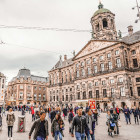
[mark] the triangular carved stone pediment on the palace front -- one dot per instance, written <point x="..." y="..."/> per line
<point x="93" y="46"/>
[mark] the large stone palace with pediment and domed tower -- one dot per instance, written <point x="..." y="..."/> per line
<point x="106" y="69"/>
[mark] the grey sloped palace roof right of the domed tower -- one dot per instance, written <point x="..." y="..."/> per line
<point x="130" y="39"/>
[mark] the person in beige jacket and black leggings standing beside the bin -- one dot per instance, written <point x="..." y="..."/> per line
<point x="10" y="119"/>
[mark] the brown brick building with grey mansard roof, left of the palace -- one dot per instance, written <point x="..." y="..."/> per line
<point x="27" y="89"/>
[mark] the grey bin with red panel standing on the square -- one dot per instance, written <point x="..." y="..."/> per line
<point x="21" y="124"/>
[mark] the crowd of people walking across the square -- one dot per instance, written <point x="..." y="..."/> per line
<point x="82" y="121"/>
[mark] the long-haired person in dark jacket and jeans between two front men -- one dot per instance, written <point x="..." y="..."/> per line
<point x="57" y="127"/>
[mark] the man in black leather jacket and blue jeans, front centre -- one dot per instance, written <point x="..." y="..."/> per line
<point x="79" y="123"/>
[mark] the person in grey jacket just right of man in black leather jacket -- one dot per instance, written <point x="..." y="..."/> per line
<point x="91" y="124"/>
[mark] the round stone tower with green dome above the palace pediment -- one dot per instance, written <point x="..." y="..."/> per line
<point x="103" y="24"/>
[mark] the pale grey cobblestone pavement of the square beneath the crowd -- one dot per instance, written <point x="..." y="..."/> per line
<point x="127" y="132"/>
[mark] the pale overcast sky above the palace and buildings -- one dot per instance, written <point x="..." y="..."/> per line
<point x="49" y="45"/>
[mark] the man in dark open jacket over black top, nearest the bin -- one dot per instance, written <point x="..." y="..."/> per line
<point x="41" y="128"/>
